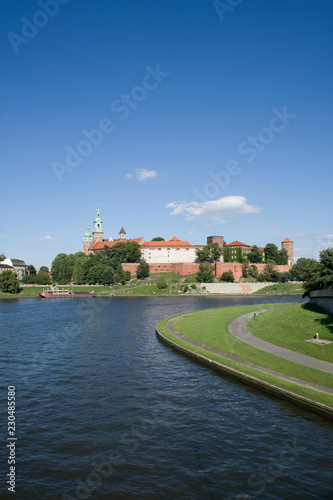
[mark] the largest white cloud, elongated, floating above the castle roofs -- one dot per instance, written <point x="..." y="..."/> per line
<point x="217" y="210"/>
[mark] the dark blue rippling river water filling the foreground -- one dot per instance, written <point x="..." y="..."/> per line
<point x="104" y="410"/>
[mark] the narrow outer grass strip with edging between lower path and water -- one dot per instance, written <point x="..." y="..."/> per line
<point x="306" y="397"/>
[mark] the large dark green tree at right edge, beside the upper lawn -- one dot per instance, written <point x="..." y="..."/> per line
<point x="319" y="275"/>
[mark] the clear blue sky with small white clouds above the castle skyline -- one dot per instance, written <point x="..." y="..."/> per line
<point x="179" y="118"/>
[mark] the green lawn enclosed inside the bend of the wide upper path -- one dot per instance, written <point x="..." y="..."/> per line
<point x="290" y="327"/>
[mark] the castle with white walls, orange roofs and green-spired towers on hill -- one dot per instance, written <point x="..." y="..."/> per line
<point x="173" y="251"/>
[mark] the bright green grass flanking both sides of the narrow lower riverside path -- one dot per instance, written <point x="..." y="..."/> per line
<point x="210" y="327"/>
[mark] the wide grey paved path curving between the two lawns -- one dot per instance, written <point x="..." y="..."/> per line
<point x="238" y="328"/>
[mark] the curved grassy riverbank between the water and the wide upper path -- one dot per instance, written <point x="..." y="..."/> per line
<point x="210" y="329"/>
